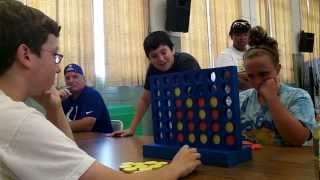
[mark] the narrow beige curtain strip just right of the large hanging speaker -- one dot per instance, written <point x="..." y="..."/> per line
<point x="195" y="41"/>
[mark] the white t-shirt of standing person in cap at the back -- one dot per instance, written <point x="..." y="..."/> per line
<point x="230" y="57"/>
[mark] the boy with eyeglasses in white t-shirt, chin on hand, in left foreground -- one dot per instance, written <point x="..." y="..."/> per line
<point x="34" y="146"/>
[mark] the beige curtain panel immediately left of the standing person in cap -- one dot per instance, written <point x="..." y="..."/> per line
<point x="223" y="13"/>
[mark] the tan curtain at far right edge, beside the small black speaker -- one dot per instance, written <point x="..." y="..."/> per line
<point x="310" y="19"/>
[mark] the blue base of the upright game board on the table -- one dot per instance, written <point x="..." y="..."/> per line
<point x="224" y="158"/>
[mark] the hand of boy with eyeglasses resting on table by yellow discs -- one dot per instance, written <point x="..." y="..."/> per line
<point x="185" y="161"/>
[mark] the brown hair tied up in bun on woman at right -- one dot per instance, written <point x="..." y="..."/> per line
<point x="262" y="44"/>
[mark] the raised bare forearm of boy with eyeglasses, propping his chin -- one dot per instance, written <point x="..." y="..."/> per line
<point x="58" y="118"/>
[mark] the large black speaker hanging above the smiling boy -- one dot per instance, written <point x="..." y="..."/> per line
<point x="178" y="15"/>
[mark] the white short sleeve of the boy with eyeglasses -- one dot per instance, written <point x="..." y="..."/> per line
<point x="39" y="150"/>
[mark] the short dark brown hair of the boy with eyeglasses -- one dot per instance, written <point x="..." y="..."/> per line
<point x="20" y="24"/>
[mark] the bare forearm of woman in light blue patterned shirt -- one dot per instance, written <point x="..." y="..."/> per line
<point x="291" y="129"/>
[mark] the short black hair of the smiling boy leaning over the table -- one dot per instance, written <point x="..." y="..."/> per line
<point x="156" y="39"/>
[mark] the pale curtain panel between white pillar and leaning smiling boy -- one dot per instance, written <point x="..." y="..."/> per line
<point x="126" y="26"/>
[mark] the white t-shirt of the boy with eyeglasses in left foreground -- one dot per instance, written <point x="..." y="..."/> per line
<point x="32" y="148"/>
